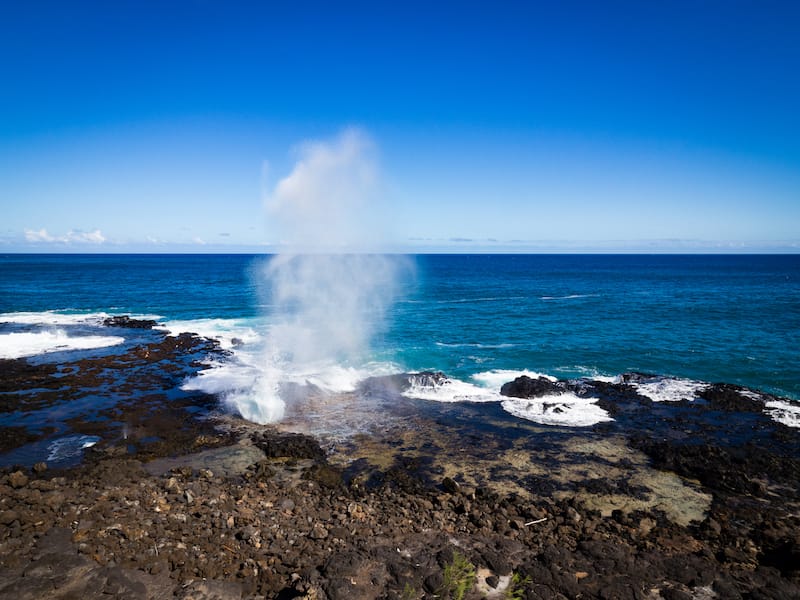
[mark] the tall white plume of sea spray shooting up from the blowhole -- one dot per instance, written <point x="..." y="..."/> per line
<point x="330" y="288"/>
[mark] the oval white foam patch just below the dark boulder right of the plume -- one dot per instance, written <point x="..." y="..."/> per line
<point x="565" y="409"/>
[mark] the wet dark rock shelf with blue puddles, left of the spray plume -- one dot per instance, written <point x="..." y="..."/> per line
<point x="132" y="396"/>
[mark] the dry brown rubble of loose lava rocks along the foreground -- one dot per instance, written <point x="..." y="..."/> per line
<point x="289" y="527"/>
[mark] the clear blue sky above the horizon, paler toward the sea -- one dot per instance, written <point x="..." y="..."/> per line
<point x="568" y="126"/>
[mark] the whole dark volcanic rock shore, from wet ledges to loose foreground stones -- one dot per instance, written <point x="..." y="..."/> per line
<point x="673" y="501"/>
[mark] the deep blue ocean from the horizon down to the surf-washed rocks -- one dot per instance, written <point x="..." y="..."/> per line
<point x="480" y="319"/>
